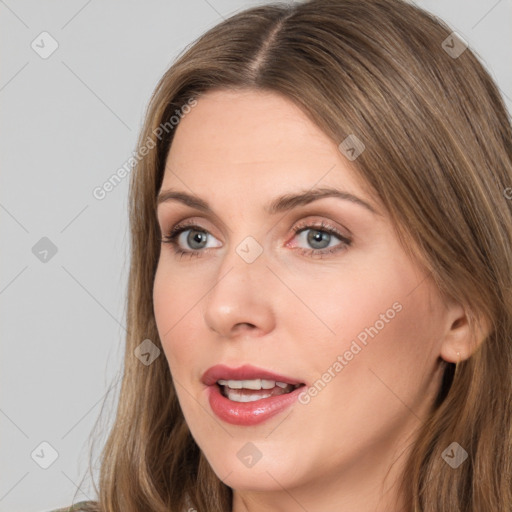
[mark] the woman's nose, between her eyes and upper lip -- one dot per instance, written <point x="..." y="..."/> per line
<point x="240" y="299"/>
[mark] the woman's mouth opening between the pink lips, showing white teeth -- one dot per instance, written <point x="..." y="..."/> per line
<point x="254" y="389"/>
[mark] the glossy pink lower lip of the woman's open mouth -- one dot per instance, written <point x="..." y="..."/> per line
<point x="249" y="413"/>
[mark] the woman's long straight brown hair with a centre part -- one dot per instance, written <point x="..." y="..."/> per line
<point x="438" y="154"/>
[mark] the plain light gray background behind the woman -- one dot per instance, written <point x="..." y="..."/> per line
<point x="69" y="121"/>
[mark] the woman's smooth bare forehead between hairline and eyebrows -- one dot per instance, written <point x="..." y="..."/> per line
<point x="254" y="136"/>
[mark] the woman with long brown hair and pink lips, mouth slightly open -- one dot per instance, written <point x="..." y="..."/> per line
<point x="319" y="301"/>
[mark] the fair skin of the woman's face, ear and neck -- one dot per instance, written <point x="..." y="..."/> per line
<point x="294" y="313"/>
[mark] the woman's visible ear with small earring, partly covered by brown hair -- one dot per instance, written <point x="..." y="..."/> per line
<point x="464" y="333"/>
